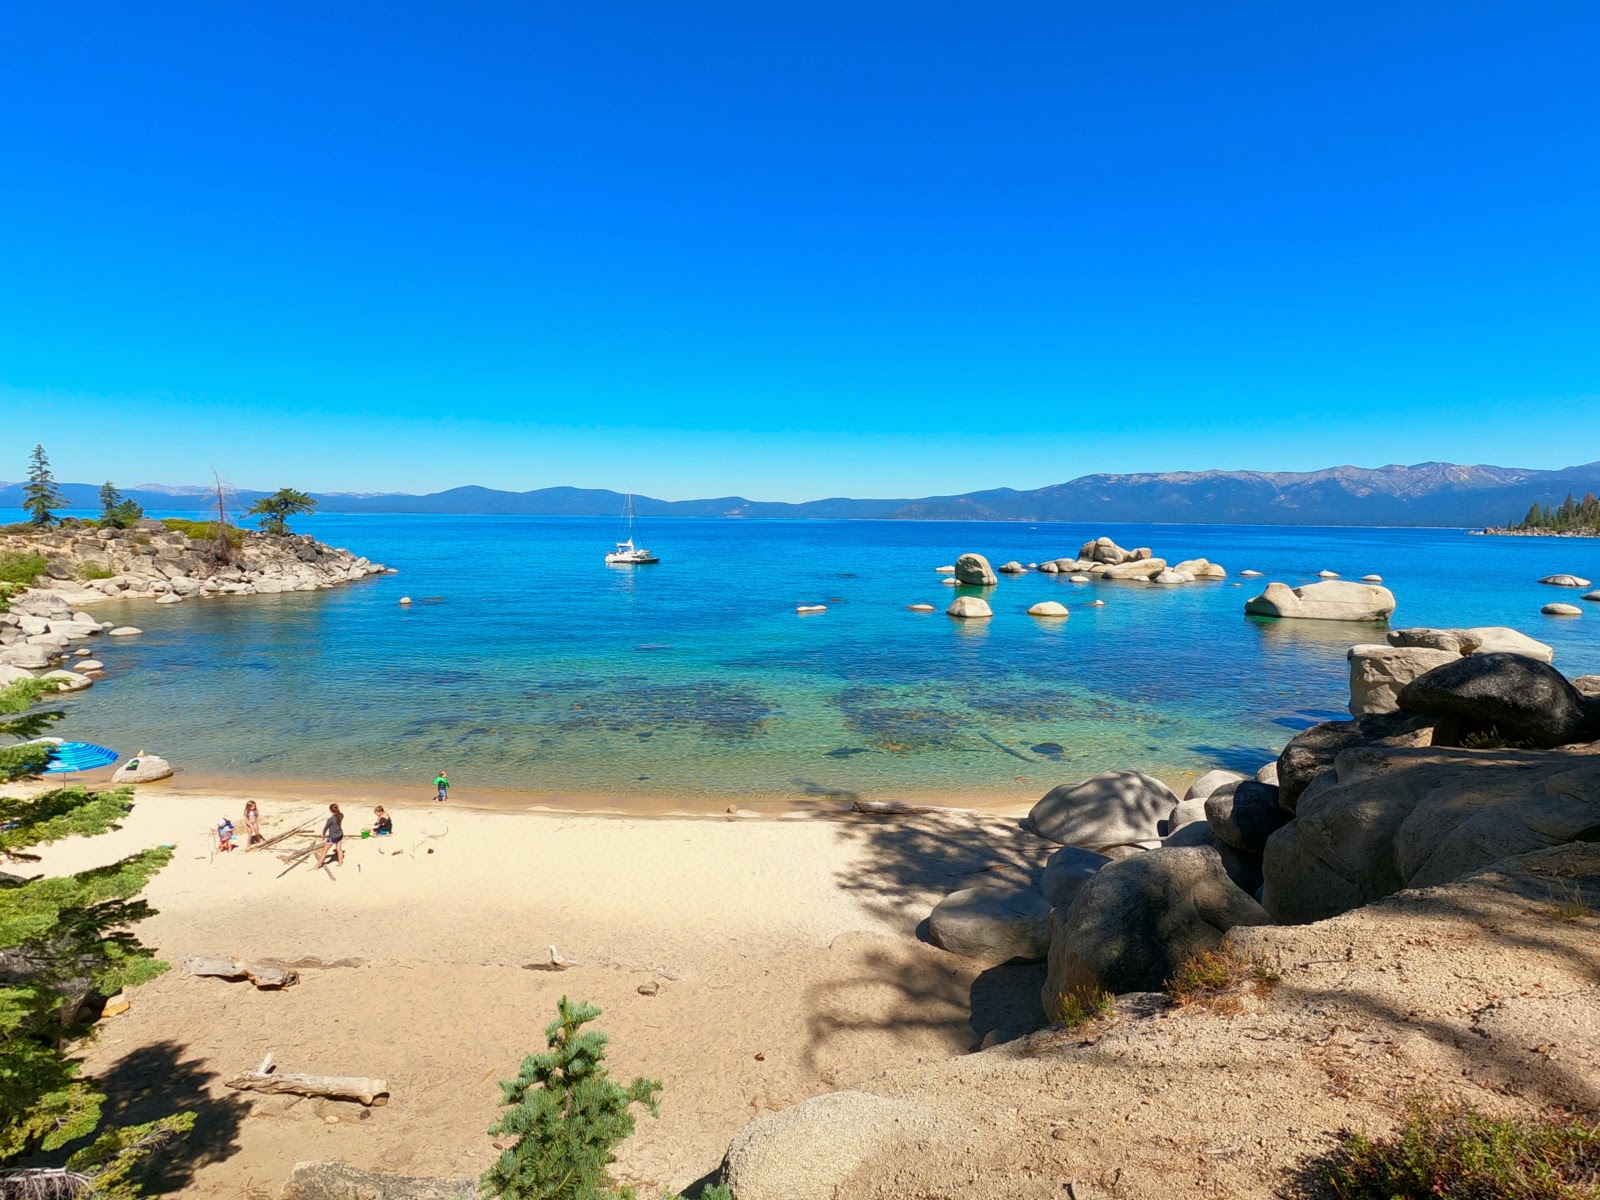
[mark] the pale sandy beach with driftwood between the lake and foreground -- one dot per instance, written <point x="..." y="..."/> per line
<point x="785" y="953"/>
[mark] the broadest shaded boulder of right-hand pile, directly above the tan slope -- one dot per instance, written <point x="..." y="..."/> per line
<point x="1415" y="818"/>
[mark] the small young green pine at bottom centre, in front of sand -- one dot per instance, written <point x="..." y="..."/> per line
<point x="567" y="1116"/>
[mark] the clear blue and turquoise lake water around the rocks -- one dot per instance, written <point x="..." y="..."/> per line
<point x="529" y="665"/>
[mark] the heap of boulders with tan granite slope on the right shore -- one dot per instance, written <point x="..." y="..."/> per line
<point x="1399" y="873"/>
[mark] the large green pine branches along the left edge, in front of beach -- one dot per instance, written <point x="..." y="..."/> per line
<point x="62" y="937"/>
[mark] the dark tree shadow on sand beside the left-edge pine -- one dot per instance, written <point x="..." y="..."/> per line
<point x="158" y="1081"/>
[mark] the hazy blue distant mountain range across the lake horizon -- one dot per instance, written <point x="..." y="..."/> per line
<point x="1428" y="494"/>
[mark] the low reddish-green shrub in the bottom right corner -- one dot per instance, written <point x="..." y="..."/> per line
<point x="1454" y="1153"/>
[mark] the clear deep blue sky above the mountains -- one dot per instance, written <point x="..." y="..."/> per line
<point x="790" y="252"/>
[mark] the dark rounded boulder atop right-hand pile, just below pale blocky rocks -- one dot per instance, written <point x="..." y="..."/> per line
<point x="1521" y="698"/>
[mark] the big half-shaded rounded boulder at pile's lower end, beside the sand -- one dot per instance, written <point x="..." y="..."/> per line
<point x="1137" y="922"/>
